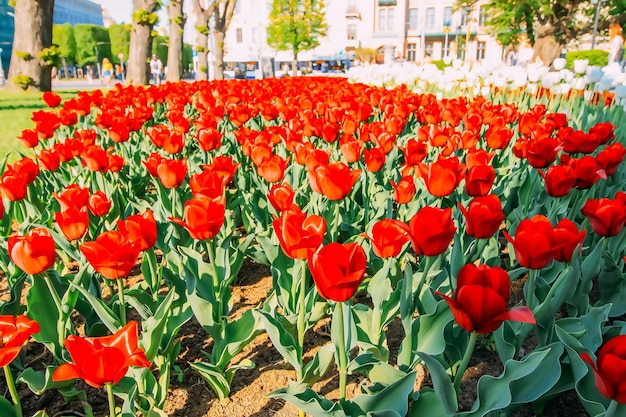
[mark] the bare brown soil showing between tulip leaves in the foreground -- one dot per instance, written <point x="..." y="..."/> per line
<point x="190" y="396"/>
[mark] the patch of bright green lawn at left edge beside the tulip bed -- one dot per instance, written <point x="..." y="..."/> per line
<point x="16" y="109"/>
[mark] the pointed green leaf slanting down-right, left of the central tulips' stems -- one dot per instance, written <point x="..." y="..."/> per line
<point x="282" y="337"/>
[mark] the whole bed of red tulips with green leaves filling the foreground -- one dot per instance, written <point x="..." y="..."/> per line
<point x="348" y="193"/>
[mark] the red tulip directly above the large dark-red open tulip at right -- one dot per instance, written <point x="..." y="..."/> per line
<point x="483" y="216"/>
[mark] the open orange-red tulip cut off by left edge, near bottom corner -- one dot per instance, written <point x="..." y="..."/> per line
<point x="14" y="332"/>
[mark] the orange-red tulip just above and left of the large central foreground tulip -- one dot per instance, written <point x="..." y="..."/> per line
<point x="298" y="233"/>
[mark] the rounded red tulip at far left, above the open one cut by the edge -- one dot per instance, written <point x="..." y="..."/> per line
<point x="33" y="253"/>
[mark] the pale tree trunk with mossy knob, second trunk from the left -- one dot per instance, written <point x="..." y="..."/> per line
<point x="141" y="42"/>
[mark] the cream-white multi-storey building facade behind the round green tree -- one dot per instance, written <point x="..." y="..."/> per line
<point x="406" y="30"/>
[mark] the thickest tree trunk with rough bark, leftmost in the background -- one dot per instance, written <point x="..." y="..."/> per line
<point x="33" y="33"/>
